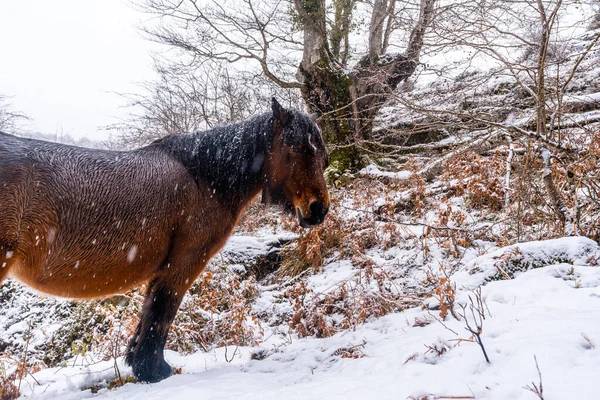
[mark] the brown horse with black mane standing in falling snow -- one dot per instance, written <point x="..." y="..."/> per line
<point x="84" y="223"/>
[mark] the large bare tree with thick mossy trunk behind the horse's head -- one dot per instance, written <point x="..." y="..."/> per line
<point x="310" y="45"/>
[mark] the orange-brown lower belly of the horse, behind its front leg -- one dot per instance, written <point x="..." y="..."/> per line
<point x="76" y="269"/>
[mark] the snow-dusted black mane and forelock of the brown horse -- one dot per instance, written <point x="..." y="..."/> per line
<point x="231" y="158"/>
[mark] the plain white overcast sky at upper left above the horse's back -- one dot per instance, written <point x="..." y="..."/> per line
<point x="62" y="61"/>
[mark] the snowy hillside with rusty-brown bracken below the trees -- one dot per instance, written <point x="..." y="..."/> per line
<point x="445" y="245"/>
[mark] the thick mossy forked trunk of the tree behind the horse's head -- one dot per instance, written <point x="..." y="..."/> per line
<point x="347" y="102"/>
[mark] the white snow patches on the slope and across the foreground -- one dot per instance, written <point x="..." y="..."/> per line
<point x="541" y="299"/>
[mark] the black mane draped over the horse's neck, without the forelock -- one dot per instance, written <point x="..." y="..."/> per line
<point x="229" y="159"/>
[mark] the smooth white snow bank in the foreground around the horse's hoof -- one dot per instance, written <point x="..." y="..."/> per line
<point x="551" y="312"/>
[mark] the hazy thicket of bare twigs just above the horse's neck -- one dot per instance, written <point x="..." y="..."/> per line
<point x="184" y="99"/>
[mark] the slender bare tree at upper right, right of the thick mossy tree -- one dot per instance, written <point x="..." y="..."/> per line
<point x="527" y="44"/>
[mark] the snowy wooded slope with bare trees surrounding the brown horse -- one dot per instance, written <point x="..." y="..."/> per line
<point x="459" y="258"/>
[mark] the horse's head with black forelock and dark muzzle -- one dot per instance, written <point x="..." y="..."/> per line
<point x="294" y="167"/>
